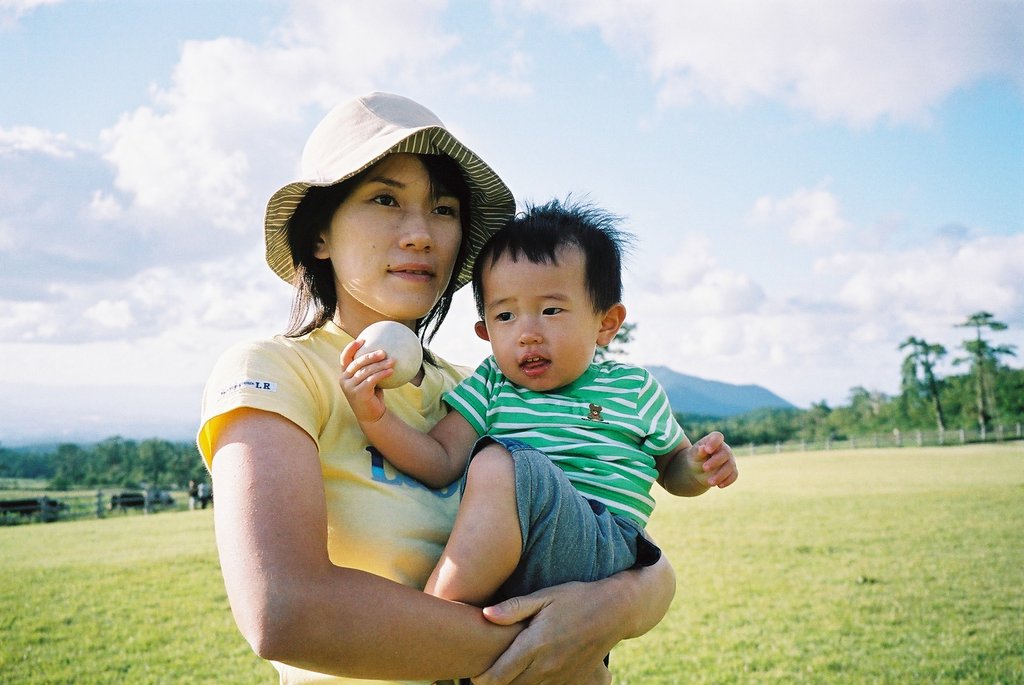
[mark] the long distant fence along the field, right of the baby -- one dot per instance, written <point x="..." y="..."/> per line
<point x="894" y="439"/>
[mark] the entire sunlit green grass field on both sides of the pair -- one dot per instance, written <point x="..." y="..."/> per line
<point x="867" y="567"/>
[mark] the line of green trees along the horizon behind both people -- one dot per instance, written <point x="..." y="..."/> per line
<point x="990" y="394"/>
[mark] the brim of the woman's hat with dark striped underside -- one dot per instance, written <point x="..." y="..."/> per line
<point x="492" y="204"/>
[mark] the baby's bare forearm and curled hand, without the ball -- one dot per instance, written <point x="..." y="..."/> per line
<point x="691" y="469"/>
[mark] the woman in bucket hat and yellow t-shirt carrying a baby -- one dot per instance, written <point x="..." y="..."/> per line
<point x="324" y="546"/>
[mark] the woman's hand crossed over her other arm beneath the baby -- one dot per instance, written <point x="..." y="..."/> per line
<point x="568" y="636"/>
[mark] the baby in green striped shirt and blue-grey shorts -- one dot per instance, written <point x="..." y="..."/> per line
<point x="567" y="450"/>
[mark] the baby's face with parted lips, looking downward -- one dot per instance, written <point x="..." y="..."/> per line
<point x="540" y="320"/>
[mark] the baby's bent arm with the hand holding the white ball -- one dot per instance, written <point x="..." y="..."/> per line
<point x="436" y="459"/>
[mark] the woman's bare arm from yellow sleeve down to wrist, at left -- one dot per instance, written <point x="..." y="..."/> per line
<point x="292" y="605"/>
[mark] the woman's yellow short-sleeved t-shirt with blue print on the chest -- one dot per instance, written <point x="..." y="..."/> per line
<point x="379" y="520"/>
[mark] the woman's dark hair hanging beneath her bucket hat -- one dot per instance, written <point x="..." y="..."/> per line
<point x="316" y="301"/>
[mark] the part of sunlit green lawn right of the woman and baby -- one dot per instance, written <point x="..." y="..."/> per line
<point x="862" y="567"/>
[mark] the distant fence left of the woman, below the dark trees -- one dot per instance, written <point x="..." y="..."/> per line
<point x="49" y="506"/>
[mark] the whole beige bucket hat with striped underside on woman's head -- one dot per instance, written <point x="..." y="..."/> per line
<point x="357" y="135"/>
